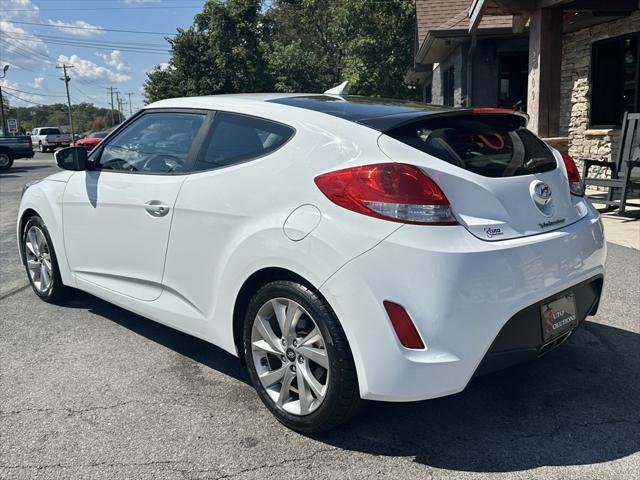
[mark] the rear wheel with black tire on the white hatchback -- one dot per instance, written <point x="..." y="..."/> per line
<point x="340" y="398"/>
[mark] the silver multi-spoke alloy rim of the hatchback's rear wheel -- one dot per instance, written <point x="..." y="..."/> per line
<point x="290" y="356"/>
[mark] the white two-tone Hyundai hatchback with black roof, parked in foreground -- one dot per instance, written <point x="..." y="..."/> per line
<point x="346" y="248"/>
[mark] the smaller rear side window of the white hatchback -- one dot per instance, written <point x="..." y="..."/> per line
<point x="236" y="138"/>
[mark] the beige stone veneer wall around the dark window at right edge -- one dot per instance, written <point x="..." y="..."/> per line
<point x="584" y="141"/>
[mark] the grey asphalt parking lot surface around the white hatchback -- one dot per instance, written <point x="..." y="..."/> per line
<point x="88" y="390"/>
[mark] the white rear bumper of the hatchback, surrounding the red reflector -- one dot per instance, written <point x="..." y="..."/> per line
<point x="460" y="292"/>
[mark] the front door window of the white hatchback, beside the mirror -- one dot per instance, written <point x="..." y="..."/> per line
<point x="154" y="143"/>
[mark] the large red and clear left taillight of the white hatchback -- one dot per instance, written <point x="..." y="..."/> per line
<point x="391" y="191"/>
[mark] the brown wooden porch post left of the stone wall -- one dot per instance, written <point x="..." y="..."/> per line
<point x="545" y="62"/>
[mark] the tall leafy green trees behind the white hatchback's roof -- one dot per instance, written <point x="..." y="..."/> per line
<point x="290" y="45"/>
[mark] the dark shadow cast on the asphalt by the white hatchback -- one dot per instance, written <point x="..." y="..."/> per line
<point x="578" y="405"/>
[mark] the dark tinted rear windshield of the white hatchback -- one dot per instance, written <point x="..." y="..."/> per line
<point x="489" y="145"/>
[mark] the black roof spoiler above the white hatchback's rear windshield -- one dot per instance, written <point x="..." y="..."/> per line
<point x="390" y="122"/>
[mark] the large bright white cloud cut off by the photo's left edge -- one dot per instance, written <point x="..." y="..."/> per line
<point x="21" y="48"/>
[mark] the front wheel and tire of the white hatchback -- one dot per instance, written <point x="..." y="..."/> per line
<point x="38" y="253"/>
